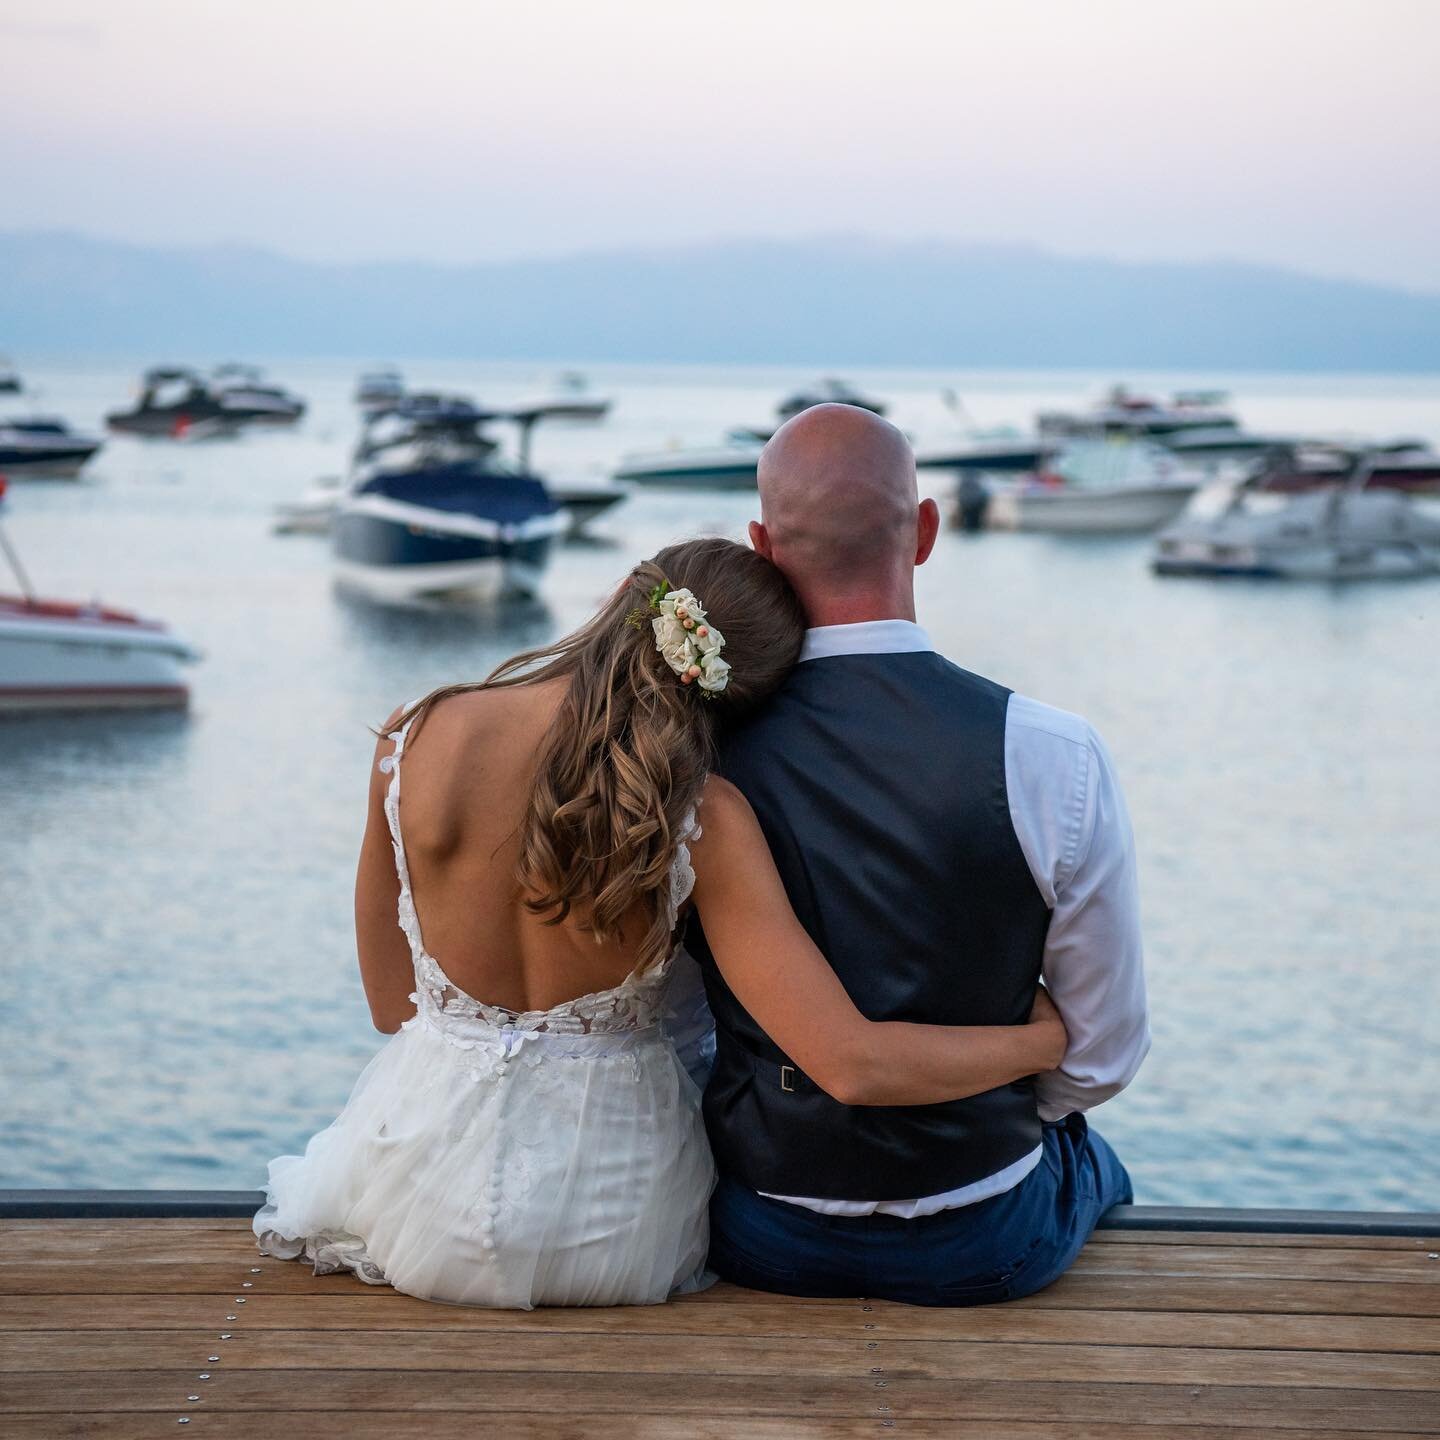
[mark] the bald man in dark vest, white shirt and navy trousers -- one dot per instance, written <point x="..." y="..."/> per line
<point x="945" y="843"/>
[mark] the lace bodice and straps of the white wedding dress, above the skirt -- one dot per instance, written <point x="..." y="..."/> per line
<point x="637" y="1003"/>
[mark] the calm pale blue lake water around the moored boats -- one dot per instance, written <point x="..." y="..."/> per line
<point x="181" y="999"/>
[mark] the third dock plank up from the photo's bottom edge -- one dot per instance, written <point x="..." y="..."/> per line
<point x="689" y="1356"/>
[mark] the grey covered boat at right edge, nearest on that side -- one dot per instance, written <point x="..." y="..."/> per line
<point x="1350" y="532"/>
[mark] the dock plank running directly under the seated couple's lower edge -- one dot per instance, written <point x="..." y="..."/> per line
<point x="741" y="1317"/>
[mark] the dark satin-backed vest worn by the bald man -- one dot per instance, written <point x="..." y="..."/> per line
<point x="881" y="786"/>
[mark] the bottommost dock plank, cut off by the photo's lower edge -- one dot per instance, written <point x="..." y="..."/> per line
<point x="526" y="1426"/>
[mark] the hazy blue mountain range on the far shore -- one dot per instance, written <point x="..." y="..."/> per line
<point x="826" y="302"/>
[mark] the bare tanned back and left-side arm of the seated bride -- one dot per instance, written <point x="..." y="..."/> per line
<point x="469" y="771"/>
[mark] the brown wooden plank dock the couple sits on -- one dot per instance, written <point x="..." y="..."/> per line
<point x="148" y="1327"/>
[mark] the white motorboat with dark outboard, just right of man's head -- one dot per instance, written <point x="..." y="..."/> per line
<point x="1098" y="487"/>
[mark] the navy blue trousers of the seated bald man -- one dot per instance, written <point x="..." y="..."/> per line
<point x="999" y="1249"/>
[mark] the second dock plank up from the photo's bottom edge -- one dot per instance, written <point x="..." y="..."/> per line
<point x="741" y="1399"/>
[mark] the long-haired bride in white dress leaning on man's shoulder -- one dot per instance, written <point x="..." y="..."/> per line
<point x="529" y="1135"/>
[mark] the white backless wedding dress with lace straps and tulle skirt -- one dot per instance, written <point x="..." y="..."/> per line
<point x="510" y="1160"/>
